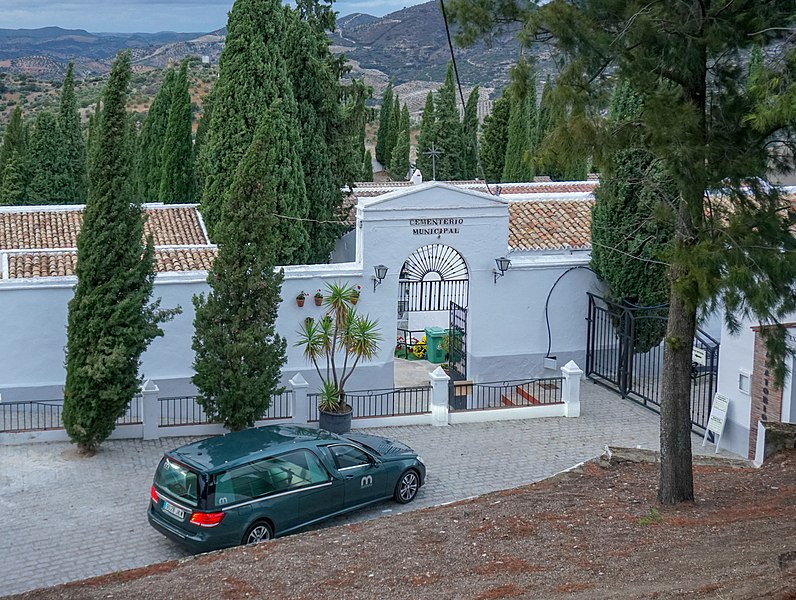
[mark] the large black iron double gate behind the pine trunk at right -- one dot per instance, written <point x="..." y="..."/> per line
<point x="623" y="352"/>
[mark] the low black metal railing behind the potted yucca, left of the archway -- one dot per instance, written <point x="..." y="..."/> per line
<point x="391" y="402"/>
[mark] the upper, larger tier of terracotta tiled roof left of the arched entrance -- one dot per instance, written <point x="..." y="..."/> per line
<point x="51" y="229"/>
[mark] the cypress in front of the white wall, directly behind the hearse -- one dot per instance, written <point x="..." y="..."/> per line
<point x="238" y="352"/>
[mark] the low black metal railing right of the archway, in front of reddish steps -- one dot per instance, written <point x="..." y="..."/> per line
<point x="510" y="394"/>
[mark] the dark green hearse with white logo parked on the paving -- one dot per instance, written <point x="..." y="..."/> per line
<point x="252" y="485"/>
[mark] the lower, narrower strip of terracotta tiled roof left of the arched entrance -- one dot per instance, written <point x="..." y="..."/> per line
<point x="62" y="264"/>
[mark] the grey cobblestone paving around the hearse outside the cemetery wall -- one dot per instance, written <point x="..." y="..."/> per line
<point x="67" y="518"/>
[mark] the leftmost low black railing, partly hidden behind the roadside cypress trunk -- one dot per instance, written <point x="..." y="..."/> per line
<point x="44" y="415"/>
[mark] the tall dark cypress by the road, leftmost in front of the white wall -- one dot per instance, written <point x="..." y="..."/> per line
<point x="110" y="322"/>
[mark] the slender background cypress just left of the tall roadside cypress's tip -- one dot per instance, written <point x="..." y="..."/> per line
<point x="74" y="148"/>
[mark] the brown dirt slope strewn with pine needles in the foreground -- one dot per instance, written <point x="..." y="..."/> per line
<point x="594" y="533"/>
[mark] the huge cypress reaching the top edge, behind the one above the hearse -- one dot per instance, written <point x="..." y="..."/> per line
<point x="251" y="76"/>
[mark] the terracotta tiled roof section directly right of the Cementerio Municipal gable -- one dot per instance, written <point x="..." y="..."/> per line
<point x="550" y="224"/>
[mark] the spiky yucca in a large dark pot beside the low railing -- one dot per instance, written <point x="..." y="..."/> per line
<point x="340" y="340"/>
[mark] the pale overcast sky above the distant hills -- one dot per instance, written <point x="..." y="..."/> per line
<point x="148" y="15"/>
